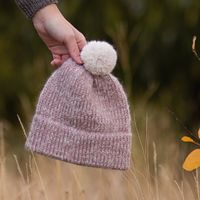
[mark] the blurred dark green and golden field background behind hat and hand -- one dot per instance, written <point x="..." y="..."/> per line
<point x="160" y="75"/>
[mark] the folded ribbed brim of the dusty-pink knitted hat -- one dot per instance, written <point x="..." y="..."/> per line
<point x="65" y="143"/>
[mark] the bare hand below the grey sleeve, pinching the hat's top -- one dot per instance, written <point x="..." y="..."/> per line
<point x="61" y="37"/>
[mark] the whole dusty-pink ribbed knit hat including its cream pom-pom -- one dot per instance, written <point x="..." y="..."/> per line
<point x="82" y="115"/>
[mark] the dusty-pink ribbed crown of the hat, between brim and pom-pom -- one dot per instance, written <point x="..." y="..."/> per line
<point x="84" y="101"/>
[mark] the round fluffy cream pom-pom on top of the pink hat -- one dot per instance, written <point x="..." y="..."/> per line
<point x="99" y="57"/>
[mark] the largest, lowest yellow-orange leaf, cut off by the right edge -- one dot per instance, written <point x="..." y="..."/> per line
<point x="192" y="161"/>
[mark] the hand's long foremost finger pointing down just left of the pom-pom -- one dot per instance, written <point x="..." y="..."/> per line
<point x="72" y="46"/>
